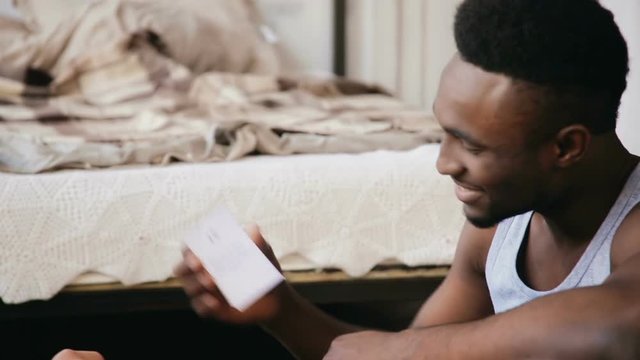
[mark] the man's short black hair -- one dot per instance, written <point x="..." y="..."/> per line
<point x="566" y="46"/>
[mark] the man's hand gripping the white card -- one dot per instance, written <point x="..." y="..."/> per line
<point x="207" y="300"/>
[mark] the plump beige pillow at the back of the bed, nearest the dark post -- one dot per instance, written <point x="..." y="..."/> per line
<point x="208" y="35"/>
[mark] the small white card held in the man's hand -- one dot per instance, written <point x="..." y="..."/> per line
<point x="241" y="271"/>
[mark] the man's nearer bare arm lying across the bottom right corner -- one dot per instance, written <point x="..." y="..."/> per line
<point x="599" y="322"/>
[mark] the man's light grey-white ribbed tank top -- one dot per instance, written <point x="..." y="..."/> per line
<point x="505" y="286"/>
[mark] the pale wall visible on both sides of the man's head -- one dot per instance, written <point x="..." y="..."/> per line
<point x="404" y="44"/>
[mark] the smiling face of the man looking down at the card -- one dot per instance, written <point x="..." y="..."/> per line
<point x="489" y="148"/>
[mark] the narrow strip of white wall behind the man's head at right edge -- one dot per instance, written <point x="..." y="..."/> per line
<point x="627" y="15"/>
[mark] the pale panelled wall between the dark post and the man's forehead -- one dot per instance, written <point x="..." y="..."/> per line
<point x="402" y="45"/>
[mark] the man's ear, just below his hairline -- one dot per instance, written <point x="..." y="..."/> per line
<point x="571" y="144"/>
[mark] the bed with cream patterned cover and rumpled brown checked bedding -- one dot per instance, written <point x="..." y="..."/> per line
<point x="330" y="199"/>
